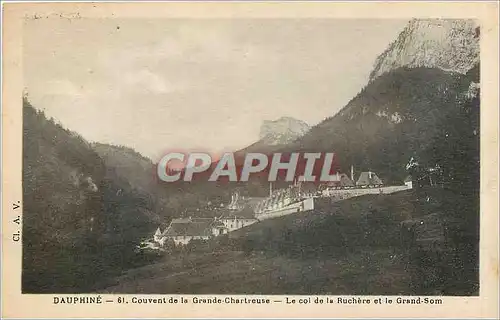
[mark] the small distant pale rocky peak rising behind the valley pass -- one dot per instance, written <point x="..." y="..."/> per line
<point x="283" y="130"/>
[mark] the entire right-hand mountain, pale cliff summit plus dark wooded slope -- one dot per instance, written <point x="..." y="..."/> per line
<point x="421" y="86"/>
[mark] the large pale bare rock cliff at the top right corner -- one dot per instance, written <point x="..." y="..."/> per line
<point x="450" y="45"/>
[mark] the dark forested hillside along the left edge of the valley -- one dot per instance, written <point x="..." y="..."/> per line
<point x="81" y="220"/>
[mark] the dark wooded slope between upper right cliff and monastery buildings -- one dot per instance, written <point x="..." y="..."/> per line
<point x="394" y="117"/>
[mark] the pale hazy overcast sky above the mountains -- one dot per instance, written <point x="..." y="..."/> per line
<point x="159" y="84"/>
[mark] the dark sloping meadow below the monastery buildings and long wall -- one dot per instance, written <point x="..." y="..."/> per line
<point x="328" y="251"/>
